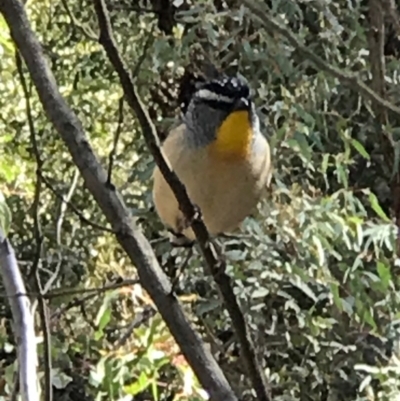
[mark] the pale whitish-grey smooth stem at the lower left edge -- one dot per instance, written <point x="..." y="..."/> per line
<point x="23" y="322"/>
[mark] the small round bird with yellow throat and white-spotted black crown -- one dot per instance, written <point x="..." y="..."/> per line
<point x="219" y="154"/>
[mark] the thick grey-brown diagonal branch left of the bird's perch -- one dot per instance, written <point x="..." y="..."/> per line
<point x="129" y="236"/>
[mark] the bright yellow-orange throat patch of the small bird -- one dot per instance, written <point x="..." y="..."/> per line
<point x="233" y="137"/>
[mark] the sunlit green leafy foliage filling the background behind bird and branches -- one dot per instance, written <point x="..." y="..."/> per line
<point x="314" y="271"/>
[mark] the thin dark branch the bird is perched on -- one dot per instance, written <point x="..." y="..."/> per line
<point x="214" y="263"/>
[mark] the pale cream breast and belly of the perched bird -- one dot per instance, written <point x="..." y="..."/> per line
<point x="225" y="191"/>
